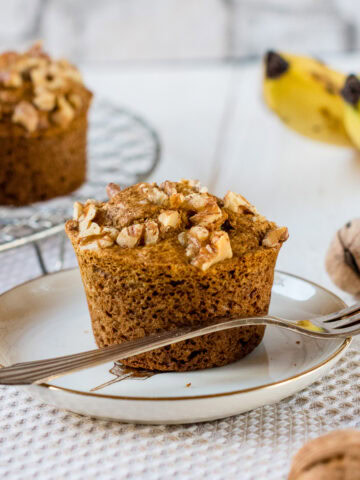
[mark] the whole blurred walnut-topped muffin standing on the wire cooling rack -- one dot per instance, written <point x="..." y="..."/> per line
<point x="43" y="126"/>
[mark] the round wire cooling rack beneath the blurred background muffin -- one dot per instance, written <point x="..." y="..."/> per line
<point x="122" y="148"/>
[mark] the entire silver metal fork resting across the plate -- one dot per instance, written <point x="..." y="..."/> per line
<point x="343" y="323"/>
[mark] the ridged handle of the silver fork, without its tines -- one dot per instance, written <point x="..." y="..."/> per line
<point x="39" y="371"/>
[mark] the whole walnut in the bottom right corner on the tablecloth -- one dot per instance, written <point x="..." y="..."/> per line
<point x="335" y="456"/>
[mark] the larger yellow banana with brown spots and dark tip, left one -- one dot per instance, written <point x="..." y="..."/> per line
<point x="305" y="94"/>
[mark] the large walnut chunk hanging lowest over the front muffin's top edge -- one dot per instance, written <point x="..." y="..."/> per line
<point x="218" y="250"/>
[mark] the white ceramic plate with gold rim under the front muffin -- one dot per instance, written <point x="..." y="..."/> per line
<point x="48" y="317"/>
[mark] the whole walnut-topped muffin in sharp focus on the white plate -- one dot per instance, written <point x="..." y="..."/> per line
<point x="156" y="258"/>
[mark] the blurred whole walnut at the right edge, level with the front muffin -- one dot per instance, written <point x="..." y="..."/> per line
<point x="343" y="258"/>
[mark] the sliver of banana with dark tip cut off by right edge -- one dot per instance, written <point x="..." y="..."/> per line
<point x="351" y="96"/>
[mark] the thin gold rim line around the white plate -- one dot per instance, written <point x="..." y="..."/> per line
<point x="341" y="349"/>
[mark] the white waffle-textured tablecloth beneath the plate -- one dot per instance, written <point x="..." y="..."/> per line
<point x="38" y="441"/>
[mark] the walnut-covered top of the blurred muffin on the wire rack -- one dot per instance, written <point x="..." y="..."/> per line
<point x="38" y="93"/>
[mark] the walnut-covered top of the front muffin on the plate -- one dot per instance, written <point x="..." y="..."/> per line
<point x="174" y="217"/>
